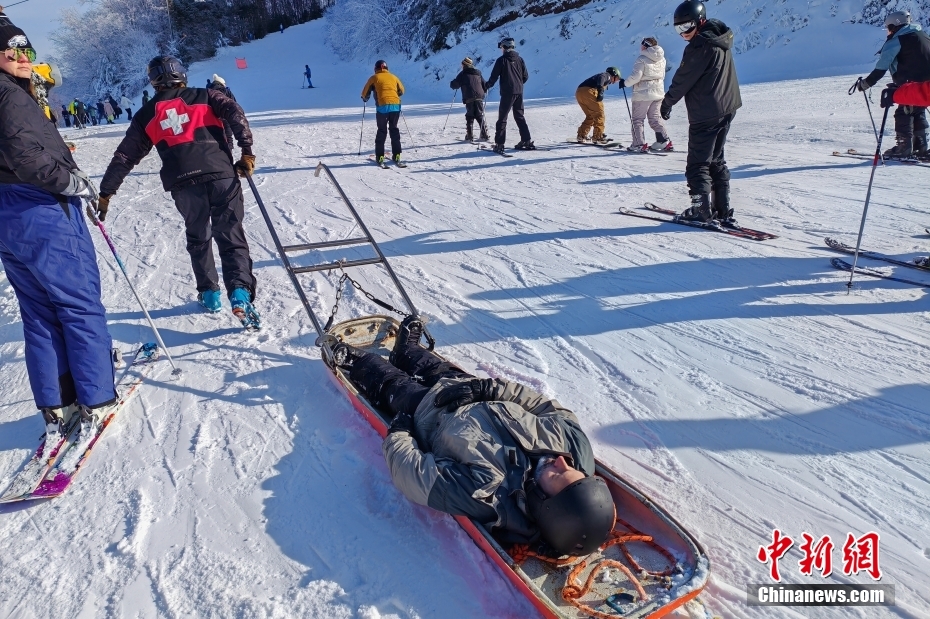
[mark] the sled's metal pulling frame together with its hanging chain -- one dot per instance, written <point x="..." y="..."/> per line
<point x="367" y="239"/>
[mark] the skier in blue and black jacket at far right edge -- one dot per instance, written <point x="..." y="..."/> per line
<point x="906" y="53"/>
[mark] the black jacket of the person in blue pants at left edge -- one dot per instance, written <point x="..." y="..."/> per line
<point x="31" y="149"/>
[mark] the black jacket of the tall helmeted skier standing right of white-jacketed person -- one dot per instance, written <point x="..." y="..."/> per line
<point x="706" y="77"/>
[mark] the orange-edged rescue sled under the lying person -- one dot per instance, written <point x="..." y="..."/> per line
<point x="663" y="565"/>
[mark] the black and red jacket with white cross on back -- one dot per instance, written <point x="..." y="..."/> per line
<point x="185" y="125"/>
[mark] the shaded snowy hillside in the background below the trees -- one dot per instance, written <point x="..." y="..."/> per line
<point x="775" y="40"/>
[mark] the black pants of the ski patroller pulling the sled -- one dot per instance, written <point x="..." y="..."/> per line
<point x="213" y="211"/>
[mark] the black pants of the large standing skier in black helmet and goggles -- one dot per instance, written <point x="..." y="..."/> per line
<point x="706" y="169"/>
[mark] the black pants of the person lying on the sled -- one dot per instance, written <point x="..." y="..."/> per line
<point x="394" y="388"/>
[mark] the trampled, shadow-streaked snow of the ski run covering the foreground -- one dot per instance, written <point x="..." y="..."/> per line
<point x="736" y="382"/>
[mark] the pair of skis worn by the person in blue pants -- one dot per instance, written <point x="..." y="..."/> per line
<point x="60" y="457"/>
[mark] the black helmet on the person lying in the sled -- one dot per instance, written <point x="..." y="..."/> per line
<point x="577" y="520"/>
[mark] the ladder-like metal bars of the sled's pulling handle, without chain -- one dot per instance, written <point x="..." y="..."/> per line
<point x="293" y="271"/>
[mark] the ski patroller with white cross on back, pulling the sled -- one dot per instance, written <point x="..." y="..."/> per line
<point x="185" y="126"/>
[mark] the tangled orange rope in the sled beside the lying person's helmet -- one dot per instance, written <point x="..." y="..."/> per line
<point x="572" y="592"/>
